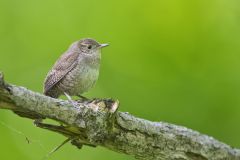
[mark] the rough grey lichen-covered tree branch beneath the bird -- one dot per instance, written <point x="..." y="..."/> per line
<point x="98" y="123"/>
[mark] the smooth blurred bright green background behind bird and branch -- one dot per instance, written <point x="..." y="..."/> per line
<point x="174" y="61"/>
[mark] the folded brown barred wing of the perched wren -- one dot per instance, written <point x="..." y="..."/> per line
<point x="63" y="65"/>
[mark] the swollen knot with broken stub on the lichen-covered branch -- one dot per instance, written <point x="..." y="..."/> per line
<point x="97" y="119"/>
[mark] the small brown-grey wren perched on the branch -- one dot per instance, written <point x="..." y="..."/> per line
<point x="76" y="71"/>
